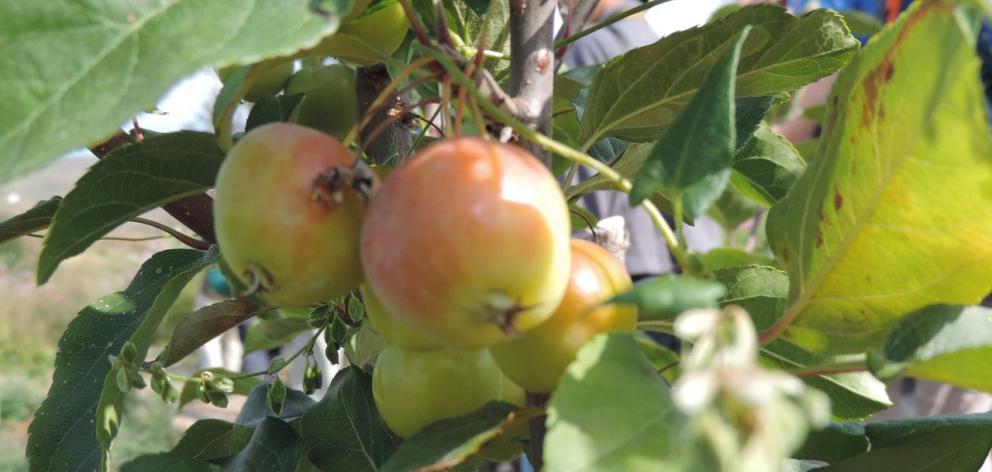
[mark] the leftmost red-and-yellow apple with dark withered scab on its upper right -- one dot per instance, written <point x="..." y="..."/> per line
<point x="279" y="225"/>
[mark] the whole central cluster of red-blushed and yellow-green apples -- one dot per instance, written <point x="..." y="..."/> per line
<point x="462" y="255"/>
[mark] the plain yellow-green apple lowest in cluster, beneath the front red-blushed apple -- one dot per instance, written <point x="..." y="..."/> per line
<point x="413" y="389"/>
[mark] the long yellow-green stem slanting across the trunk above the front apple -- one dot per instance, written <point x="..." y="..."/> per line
<point x="565" y="151"/>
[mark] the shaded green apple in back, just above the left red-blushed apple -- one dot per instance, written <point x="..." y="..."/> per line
<point x="329" y="101"/>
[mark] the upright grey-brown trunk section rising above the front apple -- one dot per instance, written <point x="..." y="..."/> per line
<point x="532" y="65"/>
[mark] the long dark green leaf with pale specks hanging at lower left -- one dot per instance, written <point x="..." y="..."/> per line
<point x="63" y="430"/>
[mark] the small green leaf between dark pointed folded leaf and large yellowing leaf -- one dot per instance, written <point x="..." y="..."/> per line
<point x="766" y="167"/>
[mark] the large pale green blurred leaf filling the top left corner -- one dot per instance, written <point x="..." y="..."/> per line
<point x="74" y="70"/>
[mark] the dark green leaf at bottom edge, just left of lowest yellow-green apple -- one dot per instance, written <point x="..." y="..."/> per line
<point x="344" y="431"/>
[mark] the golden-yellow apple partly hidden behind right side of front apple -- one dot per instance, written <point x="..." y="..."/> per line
<point x="537" y="359"/>
